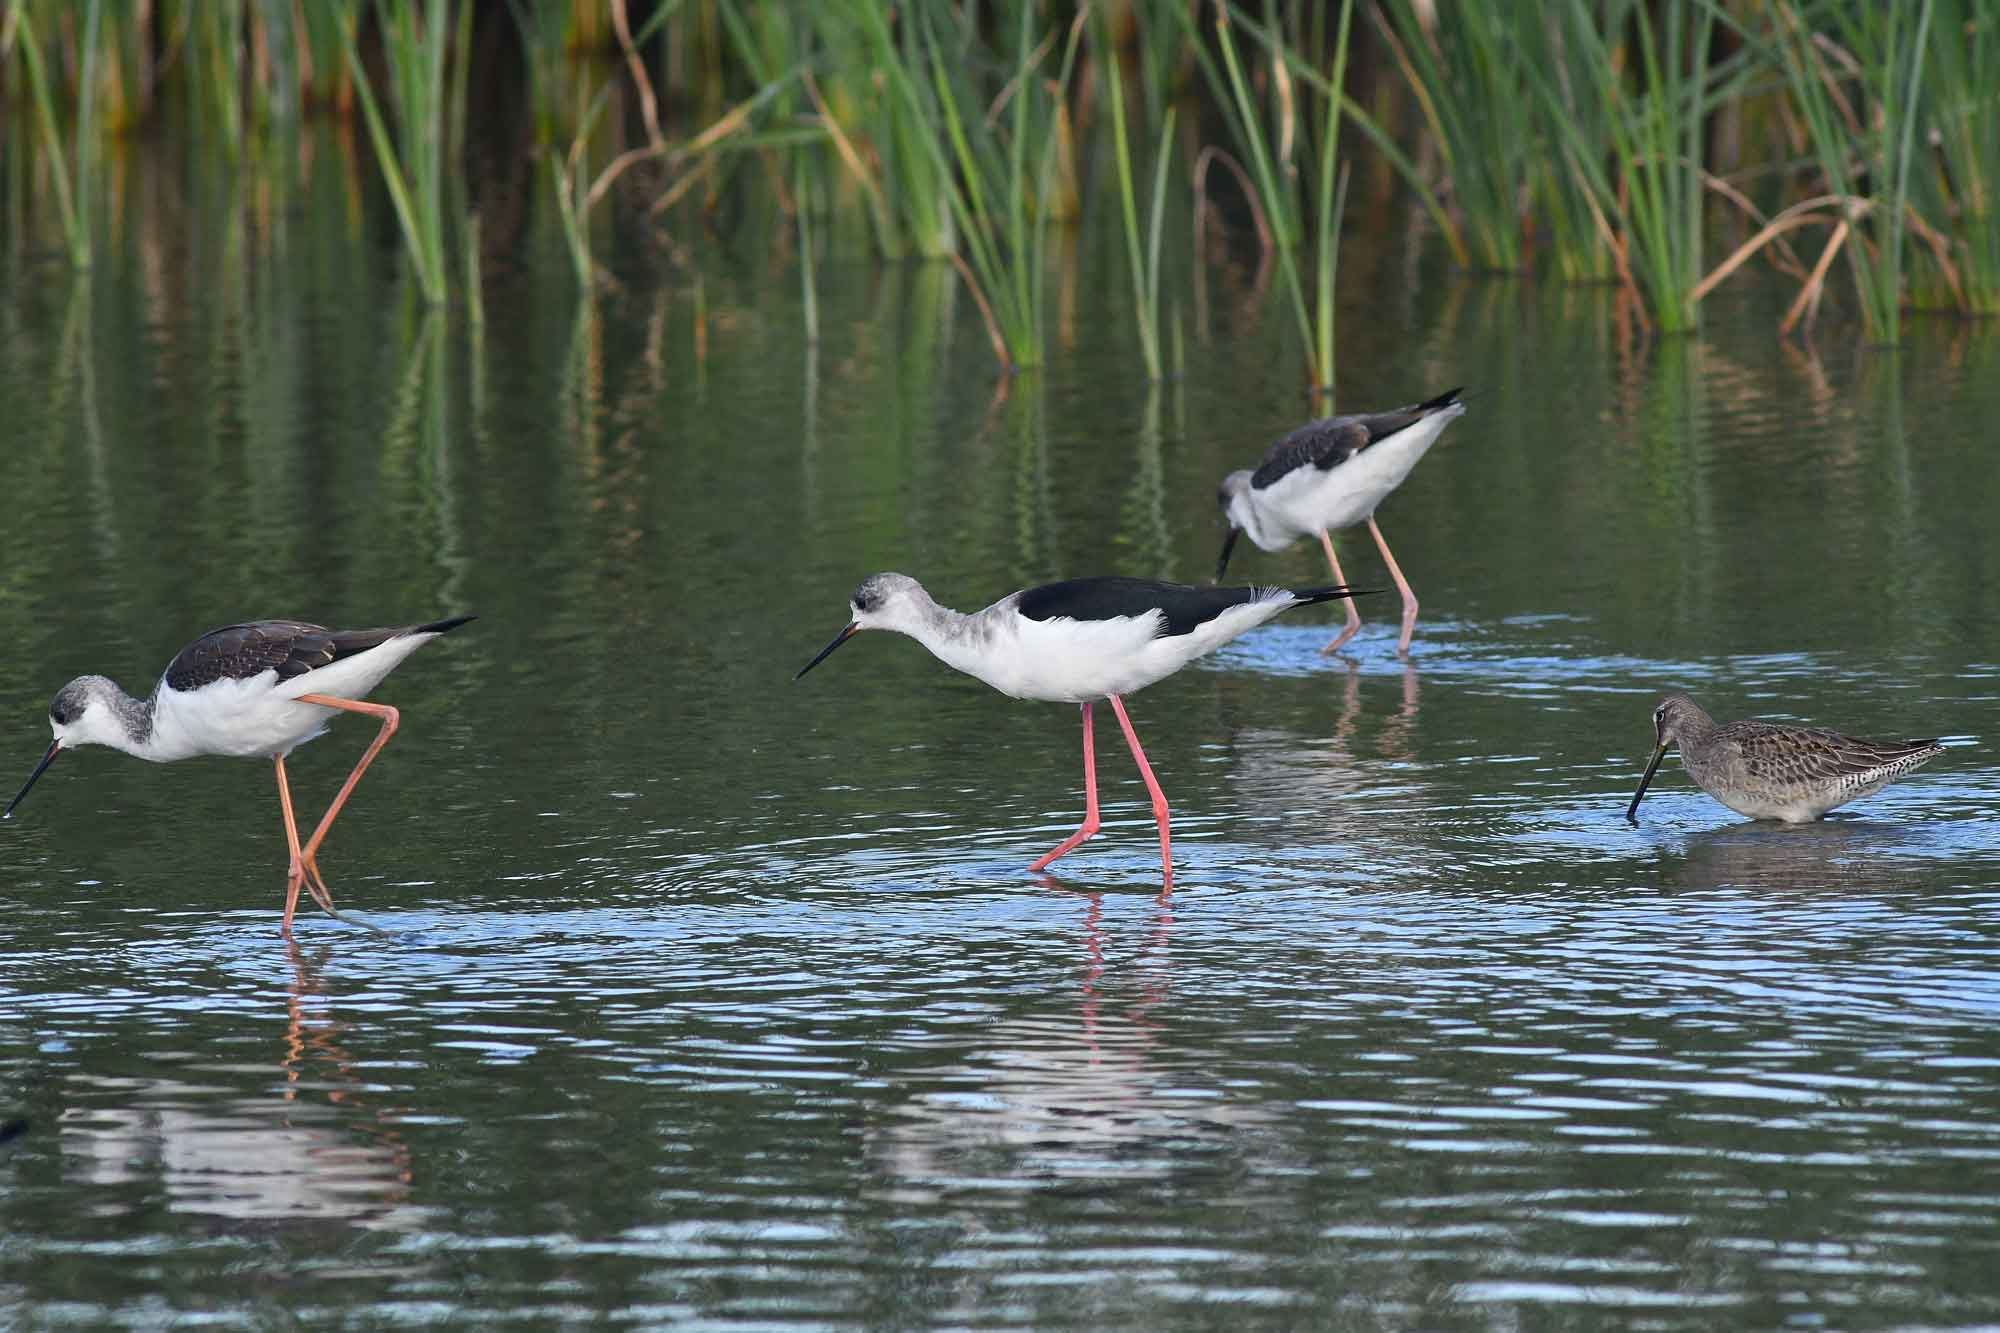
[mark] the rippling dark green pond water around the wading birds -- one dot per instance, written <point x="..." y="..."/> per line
<point x="719" y="1000"/>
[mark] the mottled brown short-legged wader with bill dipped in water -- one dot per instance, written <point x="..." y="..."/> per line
<point x="1775" y="772"/>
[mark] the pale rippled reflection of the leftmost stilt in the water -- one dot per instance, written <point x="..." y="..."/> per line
<point x="229" y="1148"/>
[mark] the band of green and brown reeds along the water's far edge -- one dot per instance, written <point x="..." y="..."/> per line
<point x="1583" y="139"/>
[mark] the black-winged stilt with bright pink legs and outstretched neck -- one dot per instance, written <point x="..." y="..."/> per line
<point x="1077" y="641"/>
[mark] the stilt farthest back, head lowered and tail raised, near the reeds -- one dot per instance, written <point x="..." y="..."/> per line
<point x="1331" y="475"/>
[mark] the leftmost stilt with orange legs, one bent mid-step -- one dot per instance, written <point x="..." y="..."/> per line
<point x="253" y="692"/>
